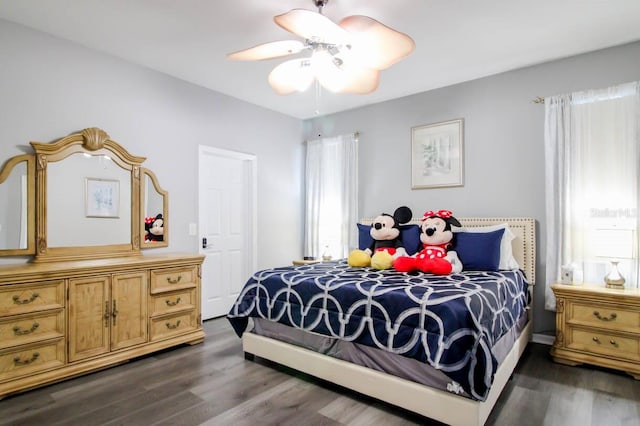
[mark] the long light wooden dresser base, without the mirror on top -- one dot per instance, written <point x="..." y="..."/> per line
<point x="61" y="319"/>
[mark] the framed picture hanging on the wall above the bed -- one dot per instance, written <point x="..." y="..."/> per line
<point x="437" y="157"/>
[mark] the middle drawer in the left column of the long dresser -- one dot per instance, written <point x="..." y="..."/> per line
<point x="24" y="329"/>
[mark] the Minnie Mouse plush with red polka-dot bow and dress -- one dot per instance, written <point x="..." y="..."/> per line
<point x="436" y="256"/>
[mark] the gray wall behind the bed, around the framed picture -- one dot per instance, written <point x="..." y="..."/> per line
<point x="503" y="142"/>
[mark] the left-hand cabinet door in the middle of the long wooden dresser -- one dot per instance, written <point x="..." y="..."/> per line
<point x="89" y="317"/>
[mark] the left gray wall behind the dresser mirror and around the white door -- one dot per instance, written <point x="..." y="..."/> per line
<point x="50" y="88"/>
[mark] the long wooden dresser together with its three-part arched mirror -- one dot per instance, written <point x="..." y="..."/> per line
<point x="89" y="298"/>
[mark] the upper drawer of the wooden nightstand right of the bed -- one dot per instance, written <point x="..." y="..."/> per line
<point x="603" y="316"/>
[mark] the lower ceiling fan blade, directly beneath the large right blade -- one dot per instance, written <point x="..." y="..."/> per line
<point x="346" y="78"/>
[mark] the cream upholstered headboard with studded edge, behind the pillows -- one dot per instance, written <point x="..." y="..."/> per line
<point x="524" y="243"/>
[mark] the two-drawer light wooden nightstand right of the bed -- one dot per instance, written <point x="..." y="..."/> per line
<point x="597" y="325"/>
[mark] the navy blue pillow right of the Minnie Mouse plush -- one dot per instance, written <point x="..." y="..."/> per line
<point x="479" y="251"/>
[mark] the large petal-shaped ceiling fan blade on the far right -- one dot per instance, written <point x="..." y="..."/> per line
<point x="374" y="44"/>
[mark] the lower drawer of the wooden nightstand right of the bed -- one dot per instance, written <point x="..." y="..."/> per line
<point x="608" y="344"/>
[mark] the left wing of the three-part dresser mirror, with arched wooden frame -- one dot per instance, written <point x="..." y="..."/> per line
<point x="17" y="210"/>
